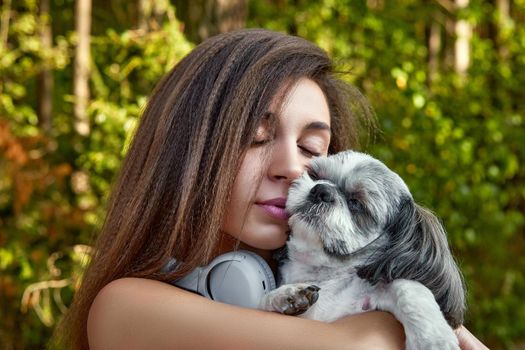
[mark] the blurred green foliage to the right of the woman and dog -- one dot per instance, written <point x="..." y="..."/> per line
<point x="459" y="142"/>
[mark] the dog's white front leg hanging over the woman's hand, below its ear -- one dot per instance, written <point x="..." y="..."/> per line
<point x="415" y="307"/>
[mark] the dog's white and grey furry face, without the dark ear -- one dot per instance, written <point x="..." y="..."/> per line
<point x="342" y="203"/>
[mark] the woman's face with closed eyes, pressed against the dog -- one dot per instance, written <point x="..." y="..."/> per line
<point x="255" y="214"/>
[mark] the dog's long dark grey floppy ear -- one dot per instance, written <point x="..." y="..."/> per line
<point x="417" y="249"/>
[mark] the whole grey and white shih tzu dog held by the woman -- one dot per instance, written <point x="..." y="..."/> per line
<point x="359" y="242"/>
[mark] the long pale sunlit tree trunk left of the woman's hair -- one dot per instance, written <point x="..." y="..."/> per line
<point x="82" y="60"/>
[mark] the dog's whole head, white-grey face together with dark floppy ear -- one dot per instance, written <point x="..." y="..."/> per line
<point x="349" y="205"/>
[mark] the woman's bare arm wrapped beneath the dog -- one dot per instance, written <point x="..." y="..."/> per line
<point x="133" y="313"/>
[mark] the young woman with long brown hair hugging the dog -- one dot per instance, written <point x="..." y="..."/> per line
<point x="223" y="136"/>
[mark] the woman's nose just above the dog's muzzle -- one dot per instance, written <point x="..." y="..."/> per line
<point x="287" y="164"/>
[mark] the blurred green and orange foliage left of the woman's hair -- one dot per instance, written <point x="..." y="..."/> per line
<point x="53" y="185"/>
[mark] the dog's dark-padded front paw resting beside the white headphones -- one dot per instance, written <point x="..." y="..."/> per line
<point x="292" y="299"/>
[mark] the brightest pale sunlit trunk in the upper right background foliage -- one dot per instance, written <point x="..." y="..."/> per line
<point x="463" y="32"/>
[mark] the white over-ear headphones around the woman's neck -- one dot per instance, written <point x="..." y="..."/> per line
<point x="240" y="278"/>
